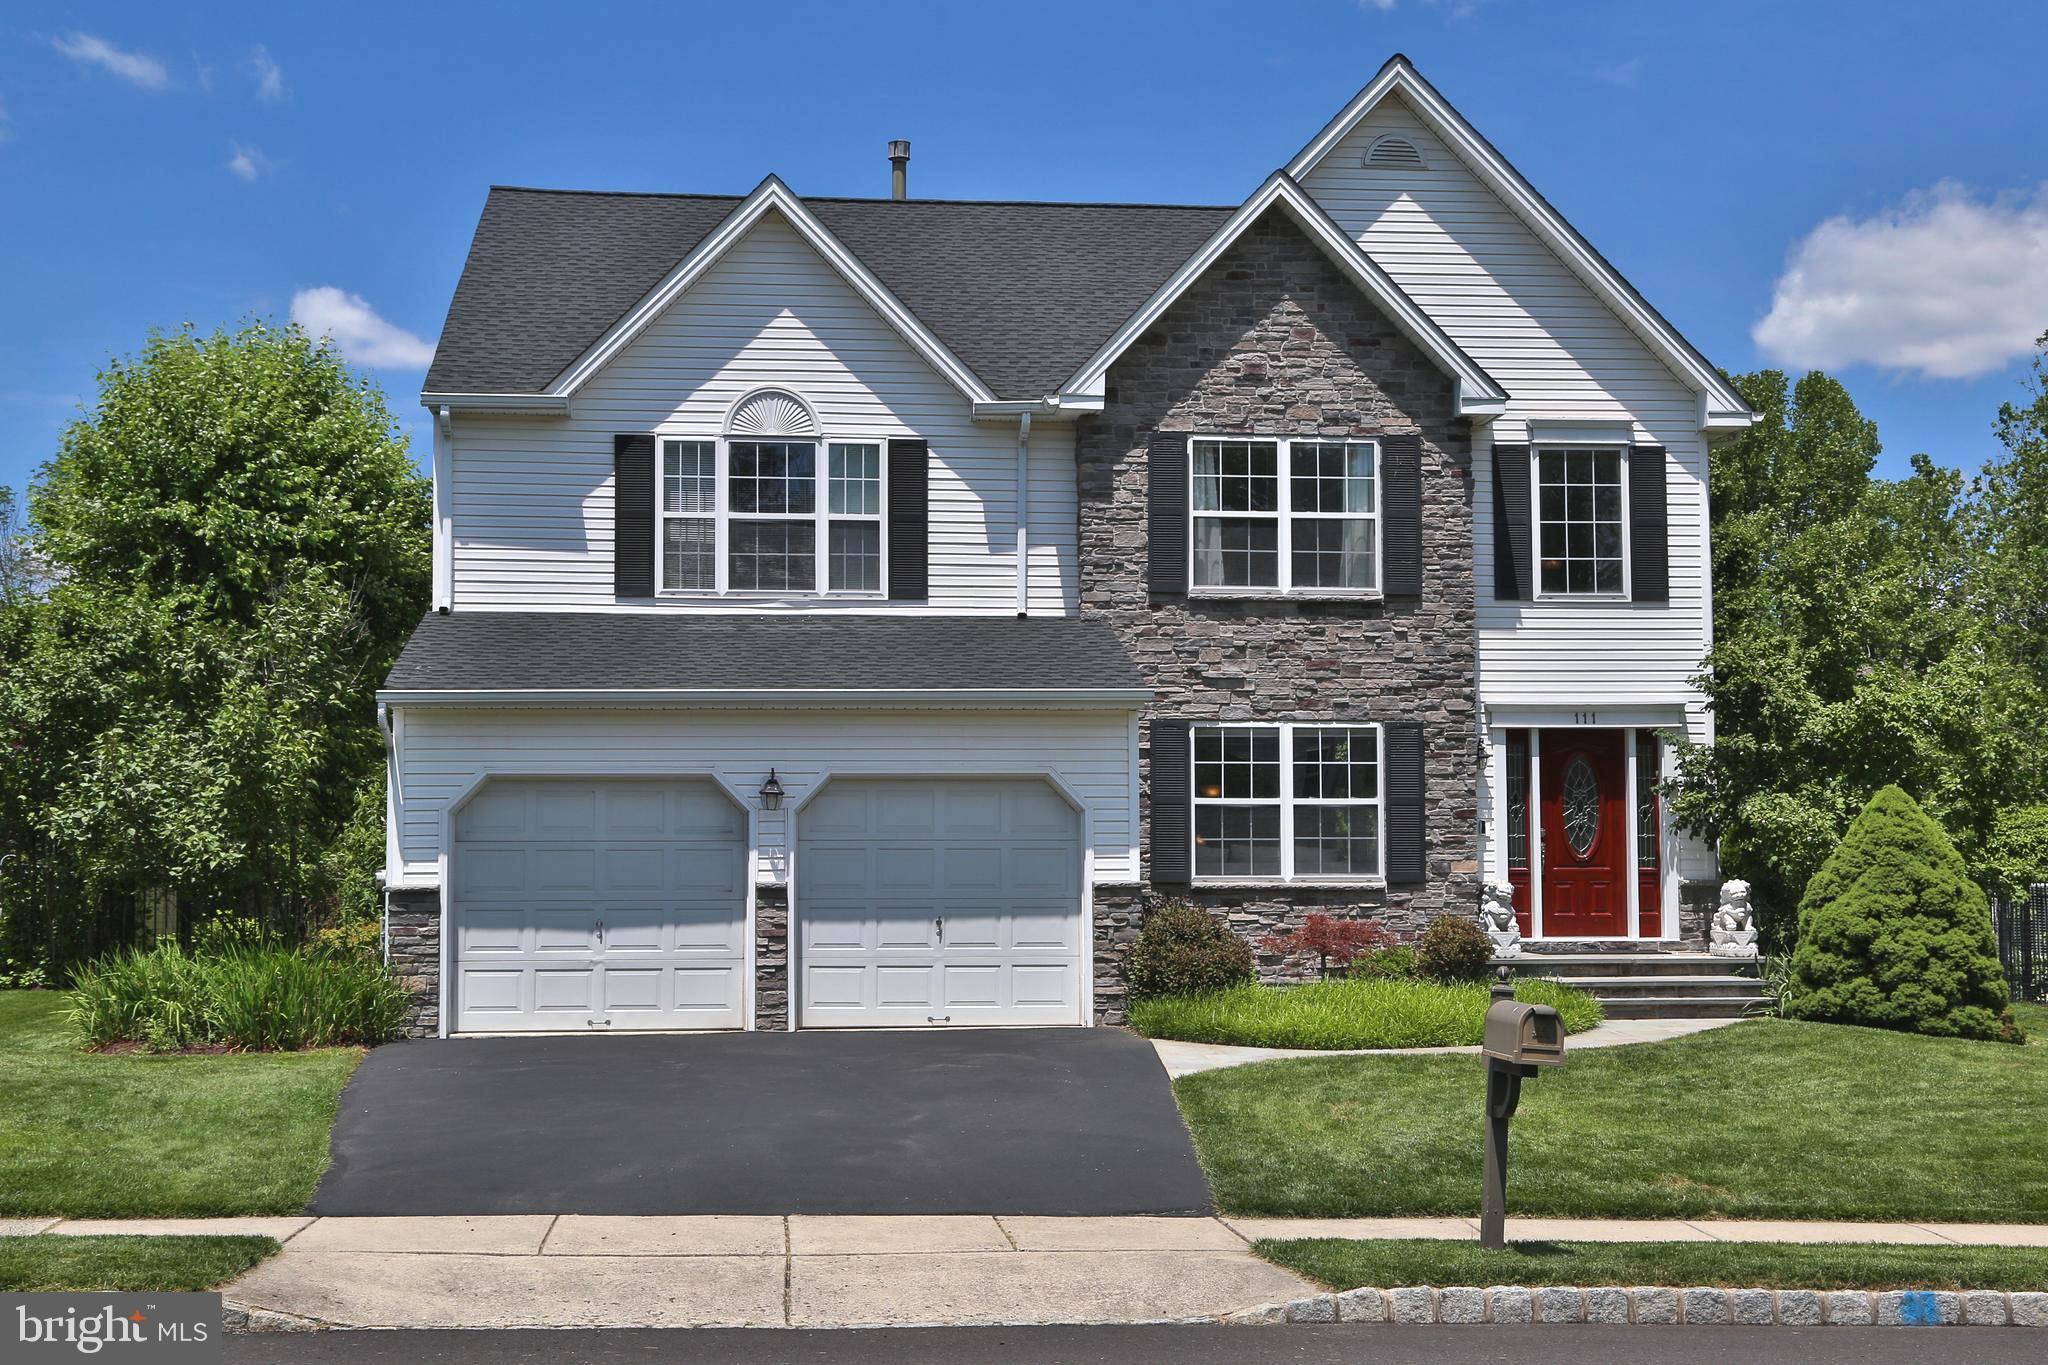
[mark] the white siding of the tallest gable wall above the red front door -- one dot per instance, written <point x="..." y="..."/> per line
<point x="1531" y="322"/>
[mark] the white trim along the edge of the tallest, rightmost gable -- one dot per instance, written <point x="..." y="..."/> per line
<point x="1721" y="408"/>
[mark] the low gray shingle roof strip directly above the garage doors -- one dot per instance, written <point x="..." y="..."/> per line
<point x="538" y="652"/>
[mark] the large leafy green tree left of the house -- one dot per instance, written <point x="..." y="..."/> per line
<point x="232" y="549"/>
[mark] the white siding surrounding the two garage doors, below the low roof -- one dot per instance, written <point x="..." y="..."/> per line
<point x="443" y="752"/>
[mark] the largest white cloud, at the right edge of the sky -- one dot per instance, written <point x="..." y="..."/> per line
<point x="1945" y="285"/>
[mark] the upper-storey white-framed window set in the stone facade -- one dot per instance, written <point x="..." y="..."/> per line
<point x="1287" y="517"/>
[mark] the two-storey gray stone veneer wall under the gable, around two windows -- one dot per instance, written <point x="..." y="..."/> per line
<point x="1275" y="341"/>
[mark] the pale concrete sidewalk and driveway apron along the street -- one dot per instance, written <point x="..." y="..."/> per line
<point x="853" y="1272"/>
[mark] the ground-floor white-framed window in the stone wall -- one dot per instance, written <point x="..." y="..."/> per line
<point x="1287" y="801"/>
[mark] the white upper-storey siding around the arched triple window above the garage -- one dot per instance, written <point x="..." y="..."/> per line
<point x="531" y="498"/>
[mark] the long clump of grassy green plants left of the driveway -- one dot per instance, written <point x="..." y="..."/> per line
<point x="245" y="996"/>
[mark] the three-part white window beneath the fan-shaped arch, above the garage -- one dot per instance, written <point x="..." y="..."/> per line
<point x="749" y="517"/>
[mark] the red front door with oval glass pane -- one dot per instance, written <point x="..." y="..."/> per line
<point x="1584" y="838"/>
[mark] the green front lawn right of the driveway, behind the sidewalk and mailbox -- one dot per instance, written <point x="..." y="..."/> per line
<point x="1758" y="1120"/>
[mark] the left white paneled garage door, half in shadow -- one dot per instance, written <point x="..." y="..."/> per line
<point x="599" y="906"/>
